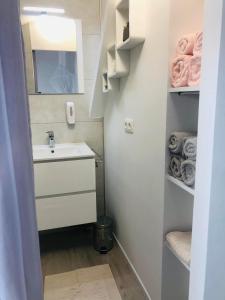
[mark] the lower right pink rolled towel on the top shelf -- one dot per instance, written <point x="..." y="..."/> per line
<point x="194" y="70"/>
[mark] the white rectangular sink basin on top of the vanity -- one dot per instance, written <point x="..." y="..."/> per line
<point x="62" y="151"/>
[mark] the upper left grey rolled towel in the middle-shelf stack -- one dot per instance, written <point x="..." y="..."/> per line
<point x="176" y="141"/>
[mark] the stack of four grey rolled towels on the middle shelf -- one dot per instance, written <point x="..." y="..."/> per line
<point x="183" y="149"/>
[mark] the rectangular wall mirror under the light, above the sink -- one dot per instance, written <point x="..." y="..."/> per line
<point x="53" y="55"/>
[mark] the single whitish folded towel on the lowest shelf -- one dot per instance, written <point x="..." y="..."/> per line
<point x="180" y="243"/>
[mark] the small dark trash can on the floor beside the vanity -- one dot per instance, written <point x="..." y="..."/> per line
<point x="103" y="237"/>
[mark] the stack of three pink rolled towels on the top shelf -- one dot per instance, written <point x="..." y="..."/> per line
<point x="186" y="66"/>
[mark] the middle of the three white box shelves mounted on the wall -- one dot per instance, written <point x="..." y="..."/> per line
<point x="117" y="63"/>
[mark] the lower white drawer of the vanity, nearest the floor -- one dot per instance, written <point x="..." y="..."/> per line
<point x="63" y="211"/>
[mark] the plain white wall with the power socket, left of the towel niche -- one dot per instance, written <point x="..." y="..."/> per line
<point x="135" y="163"/>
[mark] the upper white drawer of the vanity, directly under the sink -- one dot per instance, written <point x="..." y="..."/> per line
<point x="63" y="177"/>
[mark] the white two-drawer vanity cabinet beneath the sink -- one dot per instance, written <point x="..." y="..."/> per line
<point x="65" y="192"/>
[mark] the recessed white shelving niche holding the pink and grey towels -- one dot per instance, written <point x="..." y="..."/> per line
<point x="182" y="115"/>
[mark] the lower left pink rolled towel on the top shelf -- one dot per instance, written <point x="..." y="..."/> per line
<point x="180" y="71"/>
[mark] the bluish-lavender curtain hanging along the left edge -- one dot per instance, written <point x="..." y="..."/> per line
<point x="20" y="268"/>
